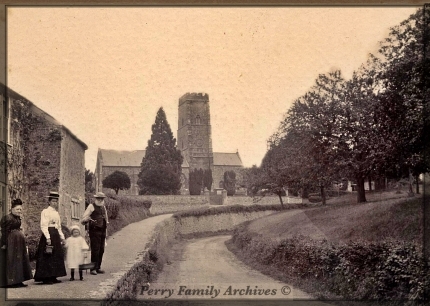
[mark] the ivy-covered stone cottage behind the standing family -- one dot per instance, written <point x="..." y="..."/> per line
<point x="43" y="156"/>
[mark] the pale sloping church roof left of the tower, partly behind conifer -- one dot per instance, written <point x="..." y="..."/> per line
<point x="115" y="158"/>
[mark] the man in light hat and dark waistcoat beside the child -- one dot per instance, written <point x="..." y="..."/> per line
<point x="96" y="217"/>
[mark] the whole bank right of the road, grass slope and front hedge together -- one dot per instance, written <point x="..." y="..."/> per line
<point x="371" y="251"/>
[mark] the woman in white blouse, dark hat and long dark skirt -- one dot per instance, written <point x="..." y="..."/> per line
<point x="49" y="266"/>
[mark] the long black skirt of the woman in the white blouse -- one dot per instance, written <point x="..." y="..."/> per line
<point x="49" y="266"/>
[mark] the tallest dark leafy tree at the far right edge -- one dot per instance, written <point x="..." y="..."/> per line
<point x="402" y="107"/>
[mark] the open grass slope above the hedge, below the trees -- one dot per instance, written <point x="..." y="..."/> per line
<point x="392" y="219"/>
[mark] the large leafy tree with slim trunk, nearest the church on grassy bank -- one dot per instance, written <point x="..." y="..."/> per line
<point x="310" y="132"/>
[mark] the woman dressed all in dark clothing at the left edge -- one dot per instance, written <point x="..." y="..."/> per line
<point x="13" y="248"/>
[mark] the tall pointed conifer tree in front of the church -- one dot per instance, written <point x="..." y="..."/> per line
<point x="161" y="167"/>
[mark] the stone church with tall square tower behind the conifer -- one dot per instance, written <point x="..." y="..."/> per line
<point x="194" y="140"/>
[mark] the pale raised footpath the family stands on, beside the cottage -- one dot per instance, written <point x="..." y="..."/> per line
<point x="121" y="251"/>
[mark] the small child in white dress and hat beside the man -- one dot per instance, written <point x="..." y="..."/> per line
<point x="77" y="250"/>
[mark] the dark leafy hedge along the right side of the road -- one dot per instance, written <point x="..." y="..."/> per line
<point x="356" y="271"/>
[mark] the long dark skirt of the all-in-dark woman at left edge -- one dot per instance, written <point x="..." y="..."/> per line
<point x="15" y="260"/>
